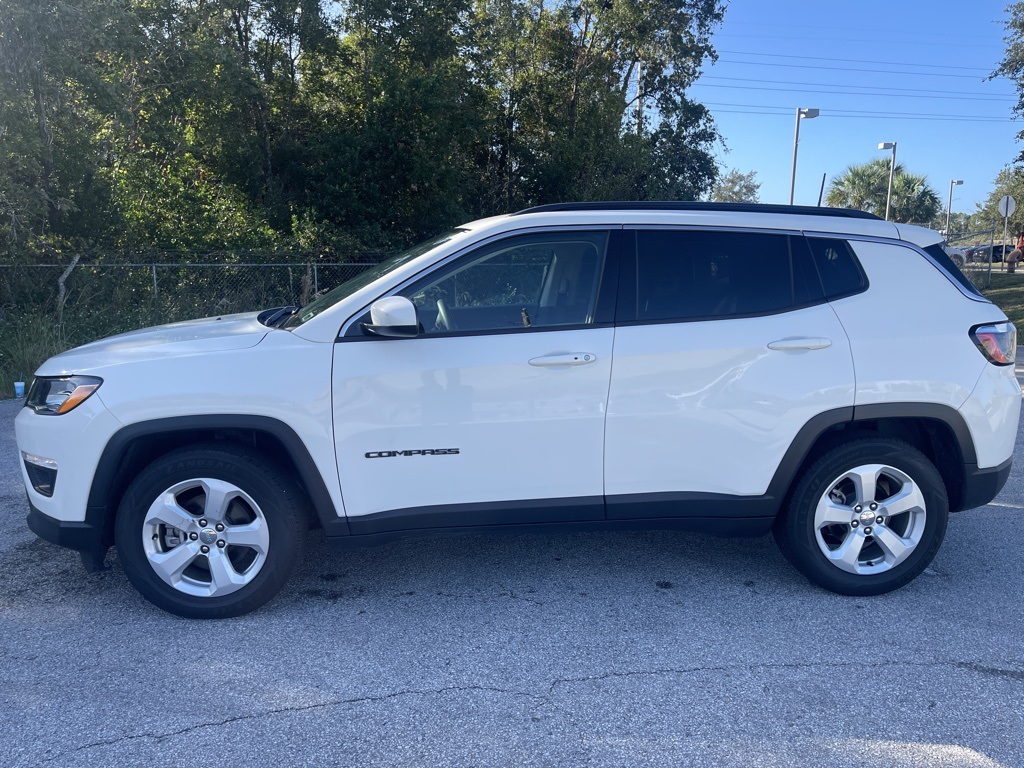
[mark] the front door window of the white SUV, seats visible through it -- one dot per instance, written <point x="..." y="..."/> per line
<point x="529" y="281"/>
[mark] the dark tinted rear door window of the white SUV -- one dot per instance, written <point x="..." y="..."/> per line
<point x="696" y="275"/>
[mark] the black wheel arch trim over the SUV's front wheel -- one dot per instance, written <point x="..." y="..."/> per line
<point x="115" y="452"/>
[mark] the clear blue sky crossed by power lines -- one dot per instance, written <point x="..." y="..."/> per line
<point x="878" y="72"/>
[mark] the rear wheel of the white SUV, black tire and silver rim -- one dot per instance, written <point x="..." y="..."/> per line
<point x="830" y="486"/>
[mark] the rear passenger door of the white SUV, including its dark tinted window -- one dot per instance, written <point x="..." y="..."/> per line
<point x="726" y="349"/>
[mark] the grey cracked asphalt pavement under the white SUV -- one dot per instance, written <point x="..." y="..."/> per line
<point x="602" y="650"/>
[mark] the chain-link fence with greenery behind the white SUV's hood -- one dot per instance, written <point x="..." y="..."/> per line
<point x="48" y="308"/>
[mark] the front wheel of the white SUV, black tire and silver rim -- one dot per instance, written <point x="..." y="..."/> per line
<point x="252" y="540"/>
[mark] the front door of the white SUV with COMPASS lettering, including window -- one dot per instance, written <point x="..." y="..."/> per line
<point x="495" y="413"/>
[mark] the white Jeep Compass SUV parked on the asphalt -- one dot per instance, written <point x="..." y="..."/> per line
<point x="733" y="369"/>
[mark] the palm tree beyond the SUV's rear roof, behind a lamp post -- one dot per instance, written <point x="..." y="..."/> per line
<point x="866" y="188"/>
